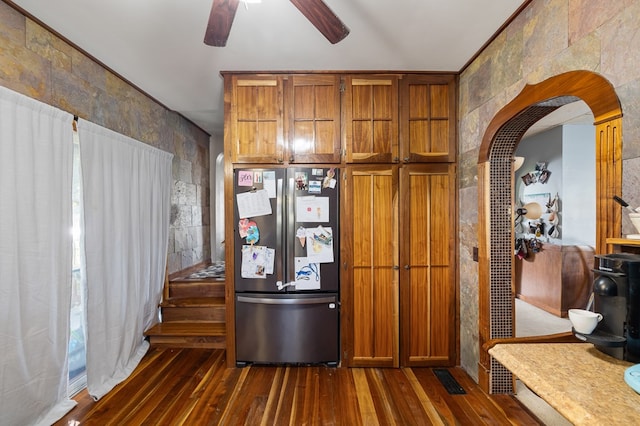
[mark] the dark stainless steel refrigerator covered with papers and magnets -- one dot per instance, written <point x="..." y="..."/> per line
<point x="287" y="275"/>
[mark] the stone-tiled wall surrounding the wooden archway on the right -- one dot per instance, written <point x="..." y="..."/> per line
<point x="548" y="38"/>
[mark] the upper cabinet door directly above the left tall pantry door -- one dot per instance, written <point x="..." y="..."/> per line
<point x="370" y="114"/>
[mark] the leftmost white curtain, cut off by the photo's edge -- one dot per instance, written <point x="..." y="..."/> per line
<point x="36" y="148"/>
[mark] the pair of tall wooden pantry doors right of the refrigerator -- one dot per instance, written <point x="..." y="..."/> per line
<point x="400" y="290"/>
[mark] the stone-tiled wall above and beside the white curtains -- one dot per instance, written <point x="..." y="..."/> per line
<point x="37" y="63"/>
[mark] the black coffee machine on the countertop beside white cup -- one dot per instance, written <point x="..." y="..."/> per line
<point x="616" y="289"/>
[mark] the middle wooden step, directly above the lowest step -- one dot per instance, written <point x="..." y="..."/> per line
<point x="193" y="309"/>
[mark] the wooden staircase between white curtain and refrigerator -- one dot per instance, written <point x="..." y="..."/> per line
<point x="193" y="313"/>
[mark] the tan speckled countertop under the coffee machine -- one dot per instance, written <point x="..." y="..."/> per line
<point x="583" y="384"/>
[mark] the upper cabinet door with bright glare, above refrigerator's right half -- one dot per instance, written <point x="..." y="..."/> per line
<point x="312" y="107"/>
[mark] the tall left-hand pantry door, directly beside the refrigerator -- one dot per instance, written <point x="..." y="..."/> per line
<point x="372" y="223"/>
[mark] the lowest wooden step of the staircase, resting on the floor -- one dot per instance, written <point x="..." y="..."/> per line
<point x="188" y="335"/>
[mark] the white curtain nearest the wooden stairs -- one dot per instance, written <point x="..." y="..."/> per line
<point x="126" y="186"/>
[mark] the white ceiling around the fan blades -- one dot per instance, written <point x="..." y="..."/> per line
<point x="158" y="44"/>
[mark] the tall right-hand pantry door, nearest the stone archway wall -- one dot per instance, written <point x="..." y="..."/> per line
<point x="427" y="265"/>
